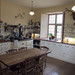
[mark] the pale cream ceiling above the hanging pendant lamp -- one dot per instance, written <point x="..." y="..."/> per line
<point x="42" y="3"/>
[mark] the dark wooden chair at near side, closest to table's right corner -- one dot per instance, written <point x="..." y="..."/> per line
<point x="39" y="64"/>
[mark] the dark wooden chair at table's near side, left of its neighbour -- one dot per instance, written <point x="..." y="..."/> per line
<point x="29" y="66"/>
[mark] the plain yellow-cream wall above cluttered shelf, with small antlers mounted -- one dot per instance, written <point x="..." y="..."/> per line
<point x="10" y="10"/>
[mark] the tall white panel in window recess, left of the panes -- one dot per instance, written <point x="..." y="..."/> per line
<point x="44" y="26"/>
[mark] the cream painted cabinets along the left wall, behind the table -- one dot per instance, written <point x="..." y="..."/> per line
<point x="10" y="45"/>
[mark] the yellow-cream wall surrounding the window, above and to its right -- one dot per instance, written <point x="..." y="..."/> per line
<point x="69" y="31"/>
